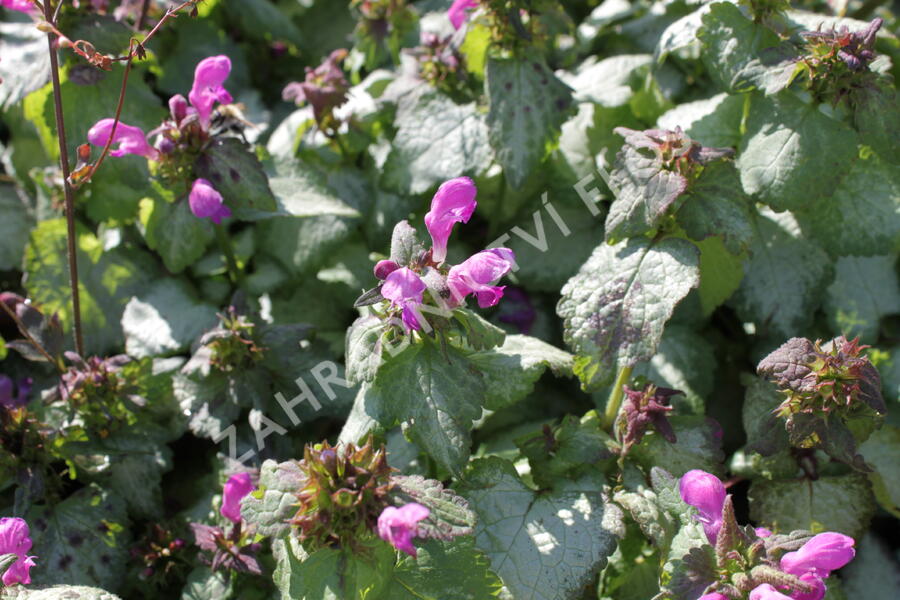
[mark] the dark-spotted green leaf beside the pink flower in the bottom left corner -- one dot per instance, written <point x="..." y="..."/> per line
<point x="85" y="538"/>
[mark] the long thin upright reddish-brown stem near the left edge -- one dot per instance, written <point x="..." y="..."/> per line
<point x="67" y="188"/>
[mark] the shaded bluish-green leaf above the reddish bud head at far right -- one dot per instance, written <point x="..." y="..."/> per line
<point x="783" y="279"/>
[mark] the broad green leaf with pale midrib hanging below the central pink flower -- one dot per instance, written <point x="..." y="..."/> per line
<point x="438" y="392"/>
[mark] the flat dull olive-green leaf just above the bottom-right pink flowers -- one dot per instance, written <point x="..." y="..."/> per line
<point x="841" y="503"/>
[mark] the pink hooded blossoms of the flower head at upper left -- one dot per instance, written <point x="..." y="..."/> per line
<point x="190" y="119"/>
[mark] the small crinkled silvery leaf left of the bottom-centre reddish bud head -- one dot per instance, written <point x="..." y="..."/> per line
<point x="274" y="500"/>
